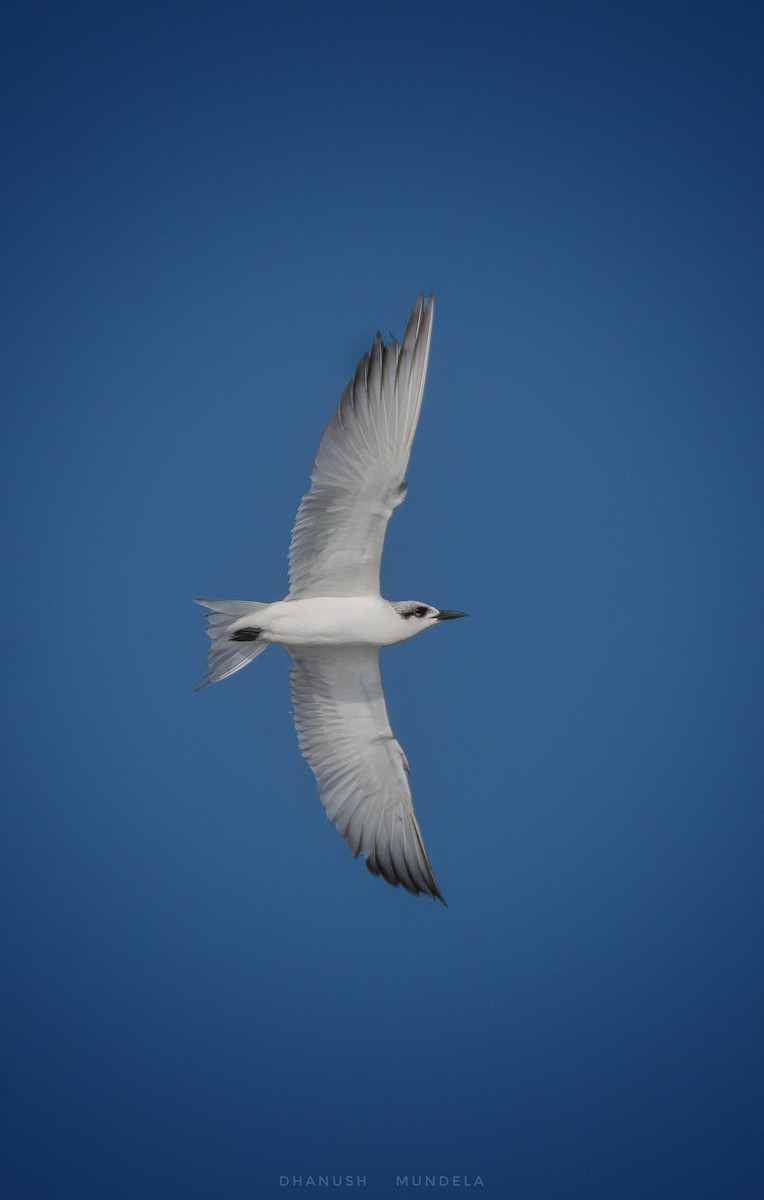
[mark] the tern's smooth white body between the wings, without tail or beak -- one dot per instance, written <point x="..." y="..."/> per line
<point x="329" y="621"/>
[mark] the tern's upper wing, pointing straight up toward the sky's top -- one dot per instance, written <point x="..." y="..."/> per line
<point x="358" y="477"/>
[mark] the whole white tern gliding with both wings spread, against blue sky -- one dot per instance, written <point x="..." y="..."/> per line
<point x="335" y="621"/>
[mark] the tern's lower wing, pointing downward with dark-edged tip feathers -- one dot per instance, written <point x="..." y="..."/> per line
<point x="360" y="769"/>
